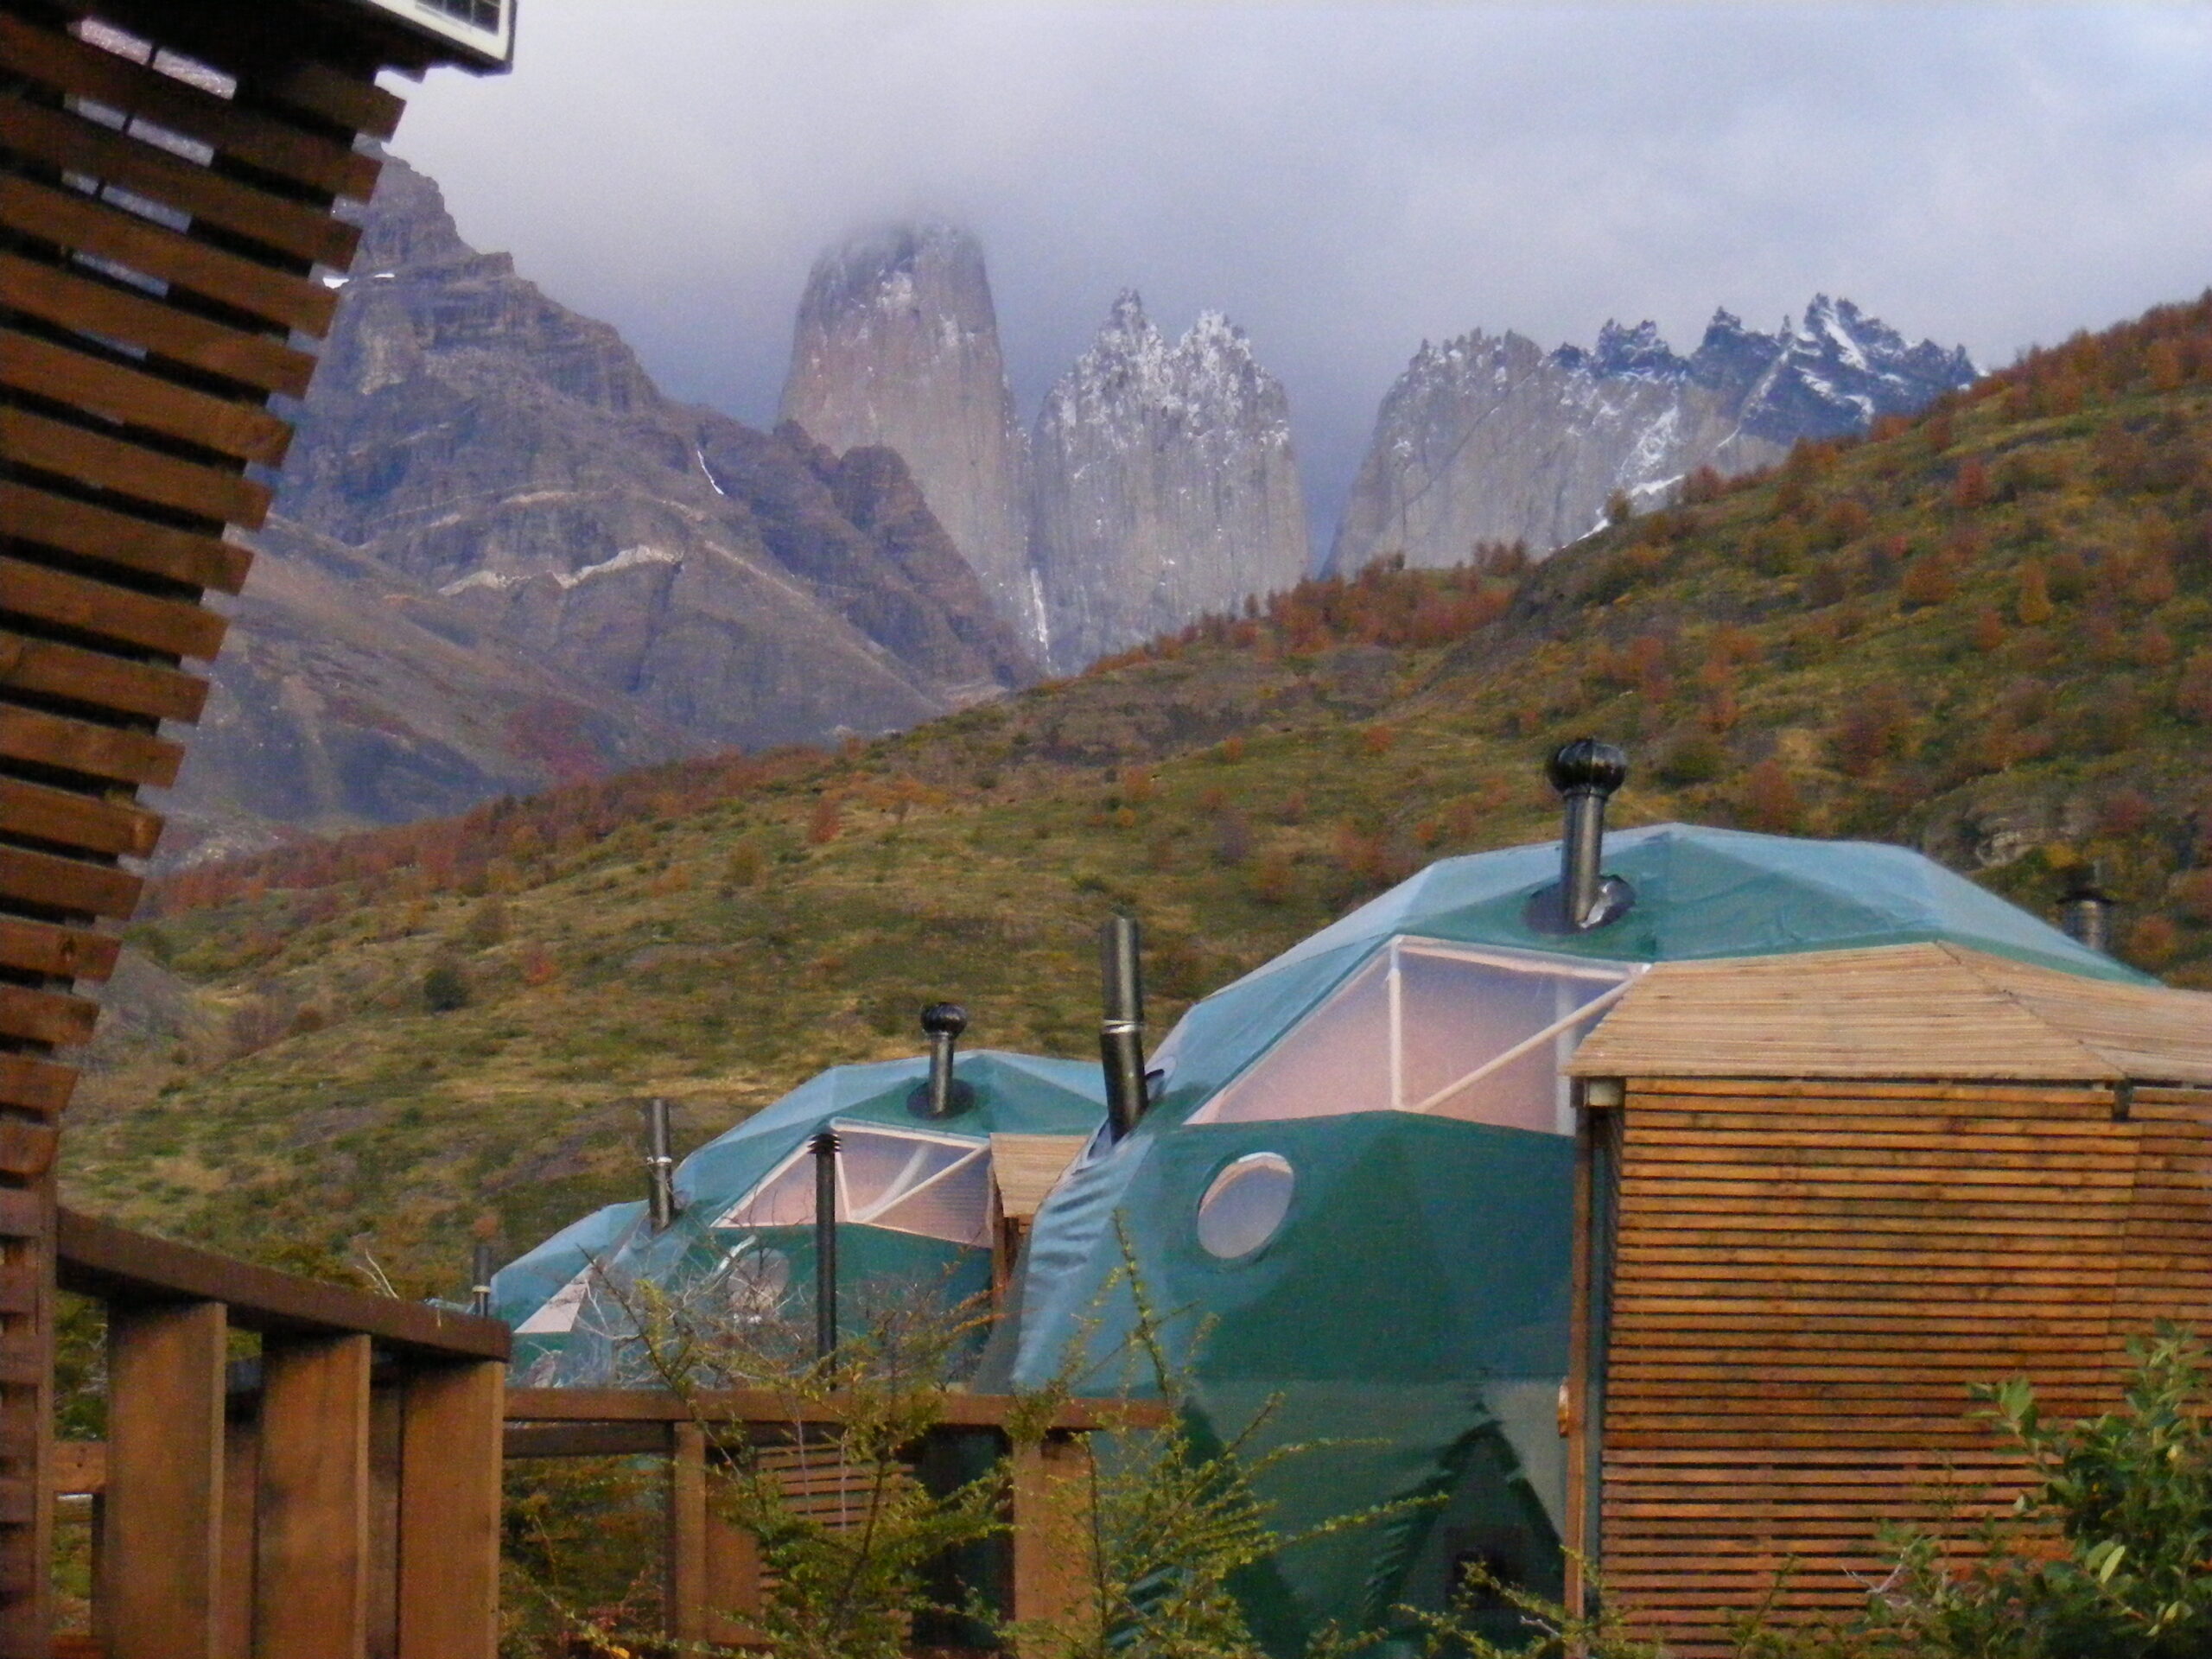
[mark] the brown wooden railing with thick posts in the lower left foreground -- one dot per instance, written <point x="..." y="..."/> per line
<point x="335" y="1501"/>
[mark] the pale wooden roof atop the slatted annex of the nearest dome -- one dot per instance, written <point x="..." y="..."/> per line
<point x="1899" y="1012"/>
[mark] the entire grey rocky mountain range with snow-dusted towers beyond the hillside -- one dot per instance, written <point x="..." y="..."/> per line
<point x="503" y="559"/>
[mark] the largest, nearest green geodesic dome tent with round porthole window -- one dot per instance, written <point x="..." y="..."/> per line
<point x="1361" y="1167"/>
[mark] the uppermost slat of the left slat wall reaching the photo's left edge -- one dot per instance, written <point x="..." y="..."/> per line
<point x="260" y="140"/>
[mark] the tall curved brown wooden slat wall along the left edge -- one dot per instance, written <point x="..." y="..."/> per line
<point x="163" y="225"/>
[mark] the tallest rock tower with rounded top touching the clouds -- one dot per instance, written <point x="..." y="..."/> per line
<point x="897" y="348"/>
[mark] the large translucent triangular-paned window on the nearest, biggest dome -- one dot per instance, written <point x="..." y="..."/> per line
<point x="1432" y="1030"/>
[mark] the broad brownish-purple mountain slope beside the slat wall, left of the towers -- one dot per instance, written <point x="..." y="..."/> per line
<point x="501" y="556"/>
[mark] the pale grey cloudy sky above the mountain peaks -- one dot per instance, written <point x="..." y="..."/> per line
<point x="1342" y="180"/>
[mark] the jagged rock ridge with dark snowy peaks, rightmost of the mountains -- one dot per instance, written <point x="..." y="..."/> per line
<point x="1490" y="439"/>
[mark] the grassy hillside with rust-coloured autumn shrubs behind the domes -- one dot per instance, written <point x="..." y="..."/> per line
<point x="1985" y="634"/>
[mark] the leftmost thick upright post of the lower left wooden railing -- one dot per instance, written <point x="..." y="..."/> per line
<point x="163" y="1521"/>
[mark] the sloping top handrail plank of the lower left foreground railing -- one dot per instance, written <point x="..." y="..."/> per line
<point x="121" y="1266"/>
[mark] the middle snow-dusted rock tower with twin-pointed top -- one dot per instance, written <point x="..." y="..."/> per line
<point x="1165" y="486"/>
